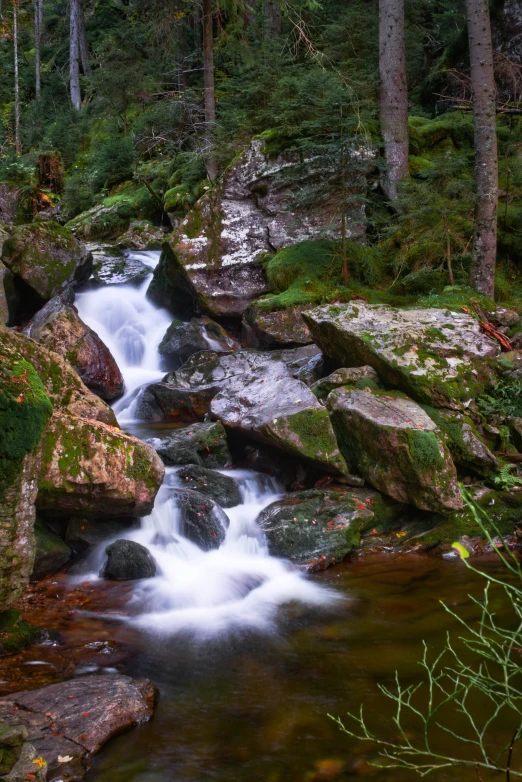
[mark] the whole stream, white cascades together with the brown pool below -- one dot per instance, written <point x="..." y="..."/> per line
<point x="249" y="655"/>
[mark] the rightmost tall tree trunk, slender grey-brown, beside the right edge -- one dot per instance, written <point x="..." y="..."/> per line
<point x="482" y="276"/>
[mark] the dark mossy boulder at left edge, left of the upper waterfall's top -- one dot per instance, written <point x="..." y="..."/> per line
<point x="44" y="256"/>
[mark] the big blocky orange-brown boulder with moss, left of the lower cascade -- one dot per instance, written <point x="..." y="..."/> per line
<point x="91" y="468"/>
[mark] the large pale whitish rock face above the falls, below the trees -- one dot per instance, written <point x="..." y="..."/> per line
<point x="213" y="261"/>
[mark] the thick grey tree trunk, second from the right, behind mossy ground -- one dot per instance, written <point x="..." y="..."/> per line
<point x="394" y="94"/>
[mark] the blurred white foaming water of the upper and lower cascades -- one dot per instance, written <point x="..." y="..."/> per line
<point x="201" y="592"/>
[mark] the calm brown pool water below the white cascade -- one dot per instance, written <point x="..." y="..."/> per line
<point x="249" y="707"/>
